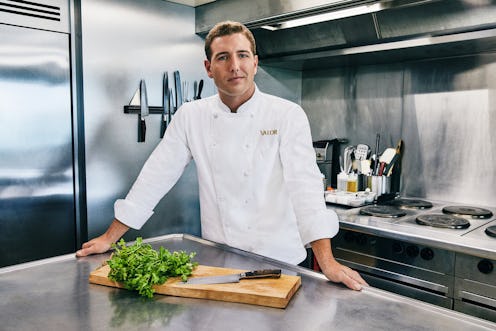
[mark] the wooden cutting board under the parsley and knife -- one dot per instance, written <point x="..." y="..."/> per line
<point x="263" y="292"/>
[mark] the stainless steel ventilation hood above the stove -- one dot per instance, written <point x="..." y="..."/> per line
<point x="313" y="34"/>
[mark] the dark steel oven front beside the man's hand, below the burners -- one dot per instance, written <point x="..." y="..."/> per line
<point x="406" y="268"/>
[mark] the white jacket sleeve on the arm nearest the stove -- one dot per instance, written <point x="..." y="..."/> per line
<point x="304" y="181"/>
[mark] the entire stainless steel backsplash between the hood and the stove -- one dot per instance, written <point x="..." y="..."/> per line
<point x="443" y="109"/>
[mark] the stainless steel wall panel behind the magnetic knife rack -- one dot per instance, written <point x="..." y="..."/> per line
<point x="123" y="42"/>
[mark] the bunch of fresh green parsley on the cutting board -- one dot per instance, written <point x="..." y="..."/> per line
<point x="139" y="266"/>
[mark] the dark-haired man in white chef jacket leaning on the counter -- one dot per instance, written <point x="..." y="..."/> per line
<point x="260" y="188"/>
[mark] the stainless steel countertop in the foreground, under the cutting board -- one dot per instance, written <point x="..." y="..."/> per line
<point x="54" y="294"/>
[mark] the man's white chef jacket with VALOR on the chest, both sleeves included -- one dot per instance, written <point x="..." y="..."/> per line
<point x="259" y="184"/>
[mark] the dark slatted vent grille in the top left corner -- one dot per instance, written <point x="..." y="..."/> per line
<point x="31" y="9"/>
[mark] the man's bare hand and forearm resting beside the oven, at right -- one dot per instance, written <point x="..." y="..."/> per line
<point x="334" y="270"/>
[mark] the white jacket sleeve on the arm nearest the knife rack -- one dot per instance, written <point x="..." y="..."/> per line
<point x="159" y="174"/>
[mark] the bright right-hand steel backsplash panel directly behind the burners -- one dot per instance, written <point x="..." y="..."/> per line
<point x="450" y="120"/>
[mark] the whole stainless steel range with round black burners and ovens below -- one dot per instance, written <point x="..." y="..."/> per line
<point x="436" y="252"/>
